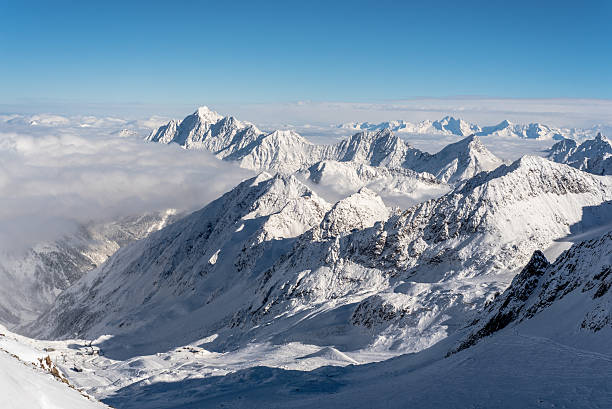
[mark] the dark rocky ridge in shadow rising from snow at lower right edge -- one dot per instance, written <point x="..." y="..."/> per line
<point x="575" y="287"/>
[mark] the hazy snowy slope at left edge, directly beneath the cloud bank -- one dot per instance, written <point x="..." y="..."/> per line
<point x="30" y="282"/>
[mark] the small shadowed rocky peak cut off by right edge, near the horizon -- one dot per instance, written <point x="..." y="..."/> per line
<point x="593" y="155"/>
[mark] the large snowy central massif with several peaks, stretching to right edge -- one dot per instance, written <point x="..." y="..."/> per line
<point x="272" y="260"/>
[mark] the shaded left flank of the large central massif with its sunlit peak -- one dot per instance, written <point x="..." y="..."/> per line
<point x="206" y="260"/>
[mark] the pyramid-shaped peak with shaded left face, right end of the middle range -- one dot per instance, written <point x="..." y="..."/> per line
<point x="460" y="161"/>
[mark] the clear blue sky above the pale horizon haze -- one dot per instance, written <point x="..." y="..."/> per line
<point x="183" y="52"/>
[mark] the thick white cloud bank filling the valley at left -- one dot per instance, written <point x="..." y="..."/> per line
<point x="48" y="183"/>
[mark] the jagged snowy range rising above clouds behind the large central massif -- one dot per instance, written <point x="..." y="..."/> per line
<point x="287" y="151"/>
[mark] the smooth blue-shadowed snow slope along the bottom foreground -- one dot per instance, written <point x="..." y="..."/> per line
<point x="514" y="371"/>
